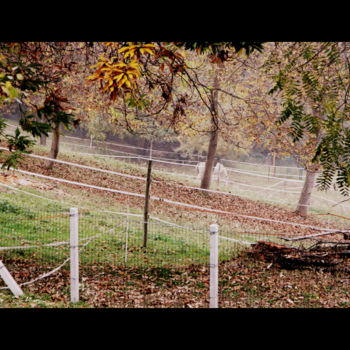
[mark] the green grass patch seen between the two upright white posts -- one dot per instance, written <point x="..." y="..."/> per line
<point x="119" y="240"/>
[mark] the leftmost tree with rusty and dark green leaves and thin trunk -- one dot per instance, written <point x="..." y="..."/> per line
<point x="40" y="86"/>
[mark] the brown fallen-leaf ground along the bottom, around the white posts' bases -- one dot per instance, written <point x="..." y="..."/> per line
<point x="246" y="281"/>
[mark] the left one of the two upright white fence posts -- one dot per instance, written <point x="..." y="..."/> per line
<point x="74" y="255"/>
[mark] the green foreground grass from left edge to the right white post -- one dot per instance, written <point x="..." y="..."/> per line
<point x="26" y="223"/>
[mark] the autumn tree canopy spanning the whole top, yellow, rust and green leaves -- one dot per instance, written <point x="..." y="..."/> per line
<point x="162" y="85"/>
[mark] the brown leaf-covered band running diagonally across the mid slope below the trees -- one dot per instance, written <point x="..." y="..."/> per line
<point x="171" y="190"/>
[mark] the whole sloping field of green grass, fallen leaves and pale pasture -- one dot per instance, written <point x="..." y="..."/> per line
<point x="35" y="212"/>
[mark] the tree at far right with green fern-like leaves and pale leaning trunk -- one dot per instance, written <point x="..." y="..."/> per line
<point x="313" y="80"/>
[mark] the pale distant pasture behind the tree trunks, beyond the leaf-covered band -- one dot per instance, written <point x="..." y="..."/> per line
<point x="251" y="182"/>
